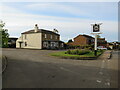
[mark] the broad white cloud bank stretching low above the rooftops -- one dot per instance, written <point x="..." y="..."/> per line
<point x="18" y="21"/>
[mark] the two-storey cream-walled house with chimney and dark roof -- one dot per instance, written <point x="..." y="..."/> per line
<point x="40" y="39"/>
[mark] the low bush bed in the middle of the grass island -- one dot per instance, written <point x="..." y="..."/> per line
<point x="77" y="52"/>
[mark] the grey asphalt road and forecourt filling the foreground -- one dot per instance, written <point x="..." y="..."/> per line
<point x="36" y="69"/>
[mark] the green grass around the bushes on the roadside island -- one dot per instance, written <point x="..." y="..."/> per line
<point x="62" y="54"/>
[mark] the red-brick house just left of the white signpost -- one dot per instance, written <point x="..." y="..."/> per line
<point x="82" y="40"/>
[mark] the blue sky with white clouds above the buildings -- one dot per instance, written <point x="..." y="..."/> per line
<point x="69" y="18"/>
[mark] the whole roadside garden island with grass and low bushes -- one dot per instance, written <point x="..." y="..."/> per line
<point x="77" y="54"/>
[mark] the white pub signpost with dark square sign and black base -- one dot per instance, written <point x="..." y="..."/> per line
<point x="96" y="31"/>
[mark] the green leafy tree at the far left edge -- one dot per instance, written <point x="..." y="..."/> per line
<point x="4" y="36"/>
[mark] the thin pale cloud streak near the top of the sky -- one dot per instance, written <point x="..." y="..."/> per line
<point x="57" y="8"/>
